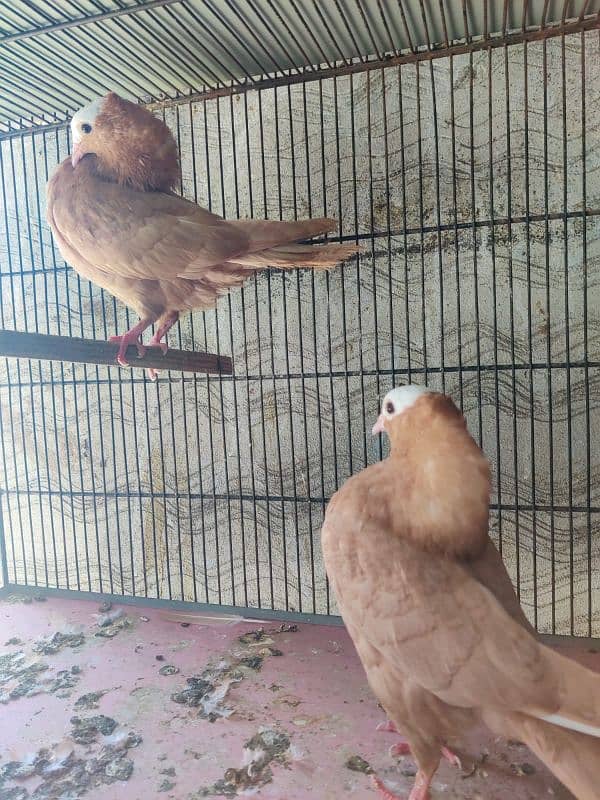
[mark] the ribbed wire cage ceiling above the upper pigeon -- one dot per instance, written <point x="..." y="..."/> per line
<point x="56" y="56"/>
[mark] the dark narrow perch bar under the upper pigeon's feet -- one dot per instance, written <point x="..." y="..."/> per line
<point x="17" y="344"/>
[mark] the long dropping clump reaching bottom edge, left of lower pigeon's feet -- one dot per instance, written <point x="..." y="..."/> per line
<point x="263" y="749"/>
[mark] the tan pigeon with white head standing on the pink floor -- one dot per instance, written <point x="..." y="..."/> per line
<point x="431" y="609"/>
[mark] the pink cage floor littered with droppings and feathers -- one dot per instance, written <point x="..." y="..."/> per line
<point x="284" y="715"/>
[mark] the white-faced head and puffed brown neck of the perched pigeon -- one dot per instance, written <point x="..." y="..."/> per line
<point x="126" y="143"/>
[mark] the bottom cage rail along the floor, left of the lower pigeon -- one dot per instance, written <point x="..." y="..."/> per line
<point x="266" y="614"/>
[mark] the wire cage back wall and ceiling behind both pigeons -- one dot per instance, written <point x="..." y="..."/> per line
<point x="458" y="144"/>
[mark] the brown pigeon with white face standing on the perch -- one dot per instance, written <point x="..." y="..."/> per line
<point x="117" y="221"/>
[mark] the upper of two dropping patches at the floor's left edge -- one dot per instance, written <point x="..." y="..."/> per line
<point x="22" y="677"/>
